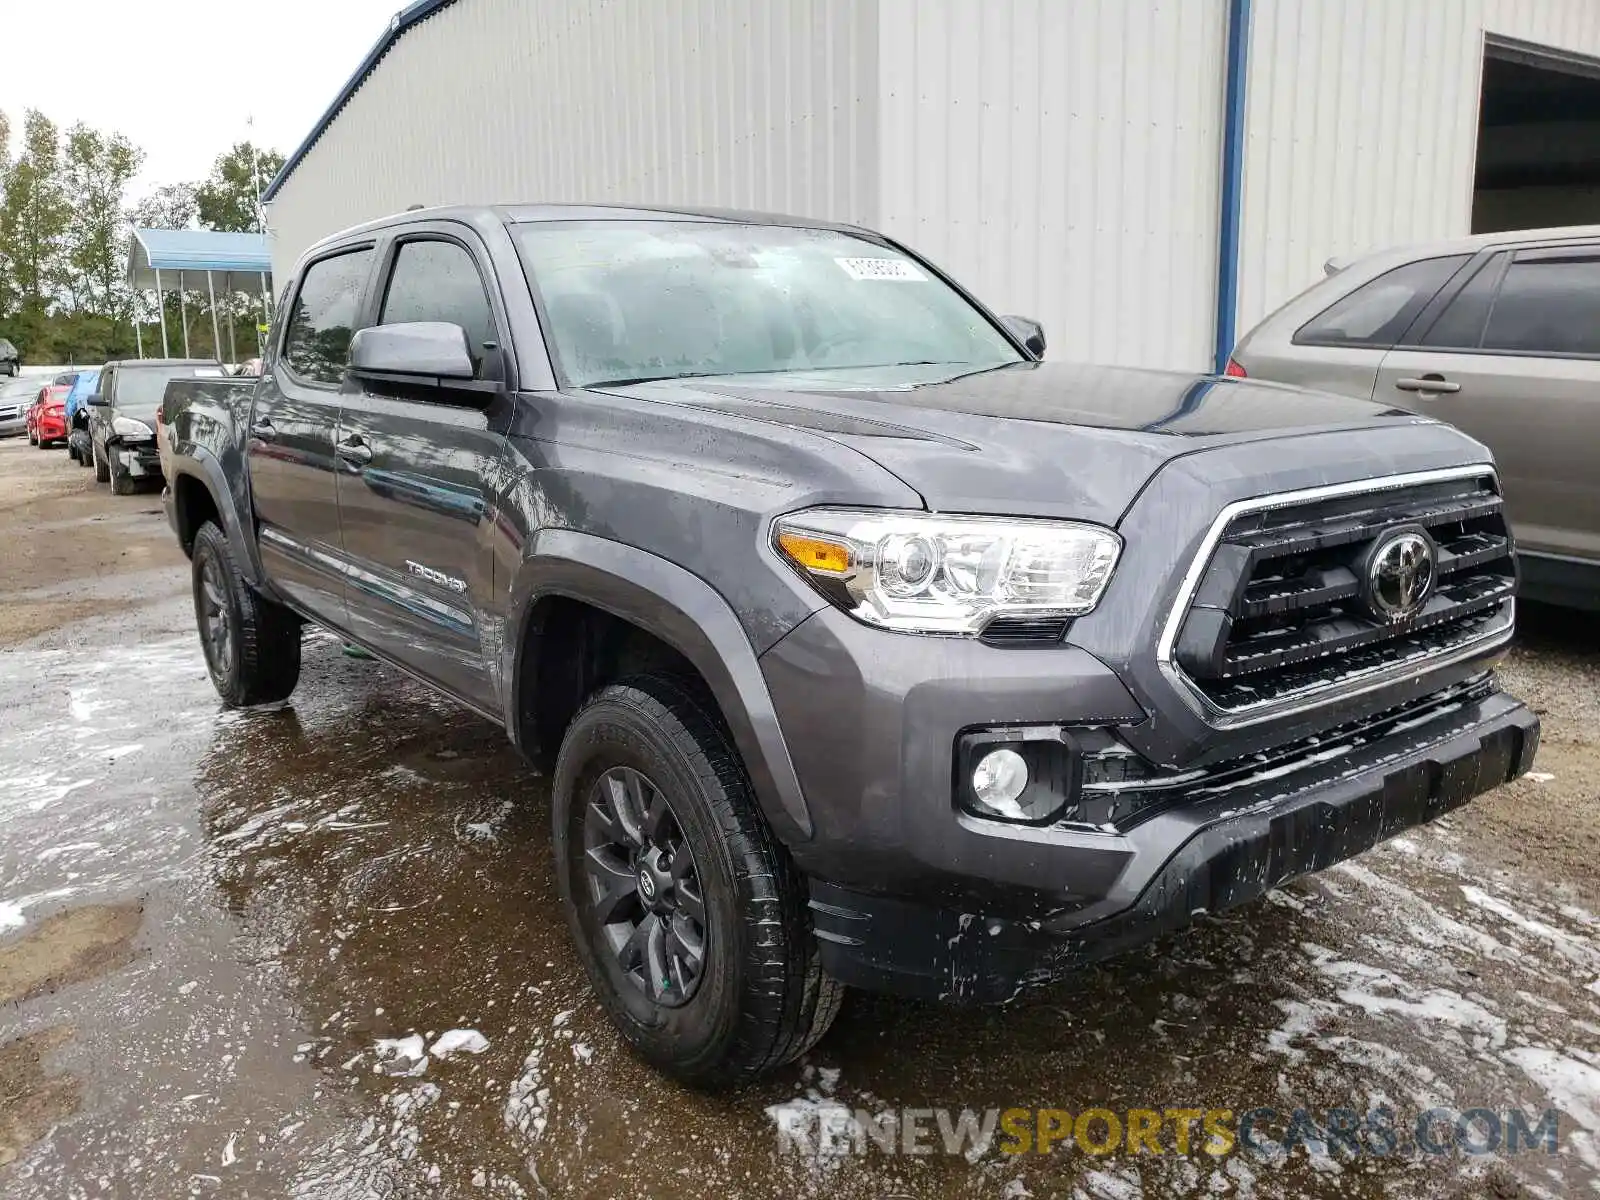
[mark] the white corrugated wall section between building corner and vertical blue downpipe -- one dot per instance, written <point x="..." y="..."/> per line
<point x="1063" y="161"/>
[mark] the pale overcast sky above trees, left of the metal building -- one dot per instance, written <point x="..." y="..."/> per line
<point x="182" y="78"/>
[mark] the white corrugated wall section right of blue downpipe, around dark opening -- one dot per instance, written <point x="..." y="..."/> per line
<point x="1362" y="126"/>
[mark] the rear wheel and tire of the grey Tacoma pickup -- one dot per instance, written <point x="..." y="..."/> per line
<point x="260" y="660"/>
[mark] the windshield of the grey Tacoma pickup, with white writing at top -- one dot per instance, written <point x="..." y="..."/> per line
<point x="658" y="300"/>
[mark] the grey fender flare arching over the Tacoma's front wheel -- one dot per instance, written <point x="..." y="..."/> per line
<point x="690" y="617"/>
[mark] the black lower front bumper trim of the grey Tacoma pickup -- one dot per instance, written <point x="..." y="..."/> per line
<point x="1255" y="839"/>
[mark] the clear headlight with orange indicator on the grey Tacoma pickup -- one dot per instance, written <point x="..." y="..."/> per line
<point x="924" y="574"/>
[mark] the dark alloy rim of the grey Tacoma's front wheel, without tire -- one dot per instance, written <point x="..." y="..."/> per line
<point x="646" y="887"/>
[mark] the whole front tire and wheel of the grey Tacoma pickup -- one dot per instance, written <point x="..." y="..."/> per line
<point x="761" y="998"/>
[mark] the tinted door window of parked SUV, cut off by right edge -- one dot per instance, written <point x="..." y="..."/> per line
<point x="1550" y="305"/>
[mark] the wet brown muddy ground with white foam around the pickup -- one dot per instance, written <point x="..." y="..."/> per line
<point x="220" y="930"/>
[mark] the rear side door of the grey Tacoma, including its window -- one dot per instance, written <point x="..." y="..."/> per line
<point x="292" y="438"/>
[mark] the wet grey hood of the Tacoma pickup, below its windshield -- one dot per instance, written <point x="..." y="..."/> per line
<point x="1039" y="439"/>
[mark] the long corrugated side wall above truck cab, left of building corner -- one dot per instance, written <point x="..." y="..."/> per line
<point x="695" y="102"/>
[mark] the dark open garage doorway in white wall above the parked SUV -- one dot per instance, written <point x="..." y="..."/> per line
<point x="1538" y="140"/>
